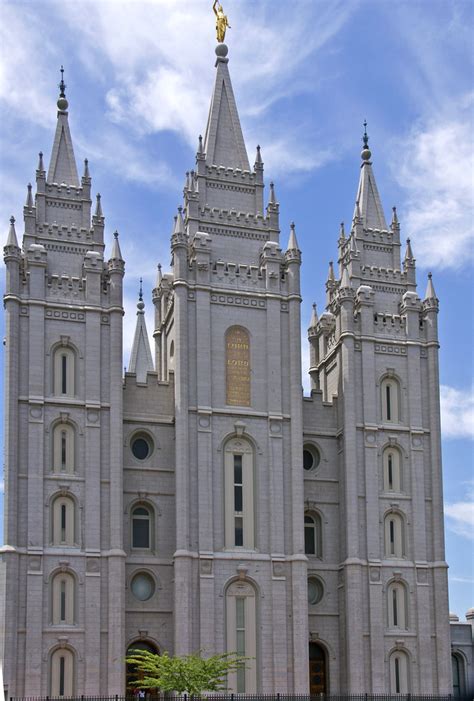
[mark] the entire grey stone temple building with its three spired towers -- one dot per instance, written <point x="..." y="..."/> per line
<point x="200" y="502"/>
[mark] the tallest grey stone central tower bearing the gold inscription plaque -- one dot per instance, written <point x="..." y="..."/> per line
<point x="232" y="316"/>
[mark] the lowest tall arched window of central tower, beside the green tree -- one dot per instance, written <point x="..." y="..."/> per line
<point x="241" y="635"/>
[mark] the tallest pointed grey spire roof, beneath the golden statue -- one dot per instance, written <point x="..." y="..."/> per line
<point x="224" y="142"/>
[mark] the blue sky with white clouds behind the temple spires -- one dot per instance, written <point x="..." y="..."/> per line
<point x="306" y="74"/>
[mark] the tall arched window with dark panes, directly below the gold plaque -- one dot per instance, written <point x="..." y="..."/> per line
<point x="239" y="494"/>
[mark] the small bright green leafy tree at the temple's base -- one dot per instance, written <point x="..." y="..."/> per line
<point x="190" y="674"/>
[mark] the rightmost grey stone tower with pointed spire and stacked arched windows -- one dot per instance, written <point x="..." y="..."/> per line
<point x="374" y="372"/>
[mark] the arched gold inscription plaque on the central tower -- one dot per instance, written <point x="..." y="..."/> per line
<point x="237" y="357"/>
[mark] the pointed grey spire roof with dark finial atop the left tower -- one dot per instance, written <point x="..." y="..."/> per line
<point x="62" y="166"/>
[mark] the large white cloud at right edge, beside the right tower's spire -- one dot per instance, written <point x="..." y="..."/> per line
<point x="437" y="163"/>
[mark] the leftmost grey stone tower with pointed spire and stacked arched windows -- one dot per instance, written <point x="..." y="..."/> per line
<point x="63" y="560"/>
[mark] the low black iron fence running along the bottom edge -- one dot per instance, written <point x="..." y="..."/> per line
<point x="256" y="697"/>
